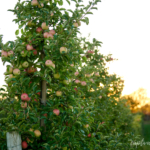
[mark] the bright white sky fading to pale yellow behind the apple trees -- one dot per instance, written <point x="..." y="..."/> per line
<point x="124" y="28"/>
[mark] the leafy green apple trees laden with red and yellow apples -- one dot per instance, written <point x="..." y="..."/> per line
<point x="59" y="94"/>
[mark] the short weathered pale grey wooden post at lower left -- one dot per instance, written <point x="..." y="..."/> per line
<point x="13" y="141"/>
